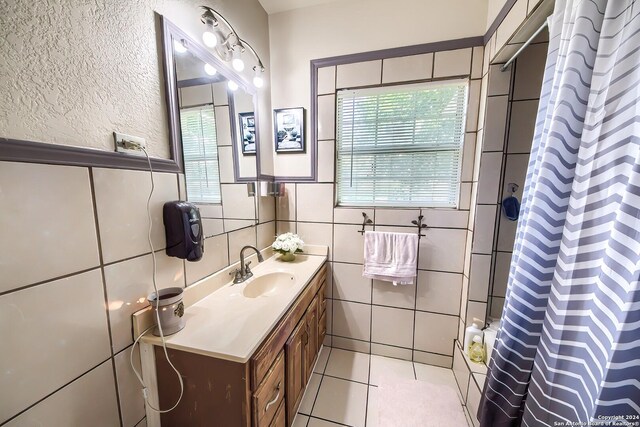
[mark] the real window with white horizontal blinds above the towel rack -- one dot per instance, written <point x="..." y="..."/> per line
<point x="401" y="145"/>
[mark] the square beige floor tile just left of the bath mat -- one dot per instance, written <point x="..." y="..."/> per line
<point x="341" y="401"/>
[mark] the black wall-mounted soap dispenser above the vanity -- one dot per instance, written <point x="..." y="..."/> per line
<point x="183" y="229"/>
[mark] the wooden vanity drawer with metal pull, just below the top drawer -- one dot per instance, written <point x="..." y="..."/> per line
<point x="270" y="394"/>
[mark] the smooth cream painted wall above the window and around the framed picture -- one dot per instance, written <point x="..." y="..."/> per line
<point x="338" y="28"/>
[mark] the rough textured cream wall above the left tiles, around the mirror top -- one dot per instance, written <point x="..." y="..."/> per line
<point x="75" y="71"/>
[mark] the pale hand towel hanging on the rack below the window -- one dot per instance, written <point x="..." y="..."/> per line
<point x="391" y="257"/>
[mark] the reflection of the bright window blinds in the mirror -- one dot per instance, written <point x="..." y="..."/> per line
<point x="200" y="149"/>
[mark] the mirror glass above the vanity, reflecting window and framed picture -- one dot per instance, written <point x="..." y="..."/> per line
<point x="213" y="122"/>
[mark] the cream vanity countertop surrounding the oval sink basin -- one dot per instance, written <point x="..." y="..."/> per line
<point x="227" y="325"/>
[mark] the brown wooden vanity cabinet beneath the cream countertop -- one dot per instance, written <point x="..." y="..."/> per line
<point x="263" y="392"/>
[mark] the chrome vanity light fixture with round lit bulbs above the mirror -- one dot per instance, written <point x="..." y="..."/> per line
<point x="221" y="36"/>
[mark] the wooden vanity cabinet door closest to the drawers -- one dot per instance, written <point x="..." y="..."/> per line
<point x="296" y="368"/>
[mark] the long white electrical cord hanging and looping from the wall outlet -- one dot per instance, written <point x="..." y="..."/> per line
<point x="155" y="288"/>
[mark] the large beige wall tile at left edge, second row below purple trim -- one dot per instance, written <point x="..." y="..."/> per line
<point x="50" y="323"/>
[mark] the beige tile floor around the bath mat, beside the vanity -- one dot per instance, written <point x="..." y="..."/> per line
<point x="343" y="388"/>
